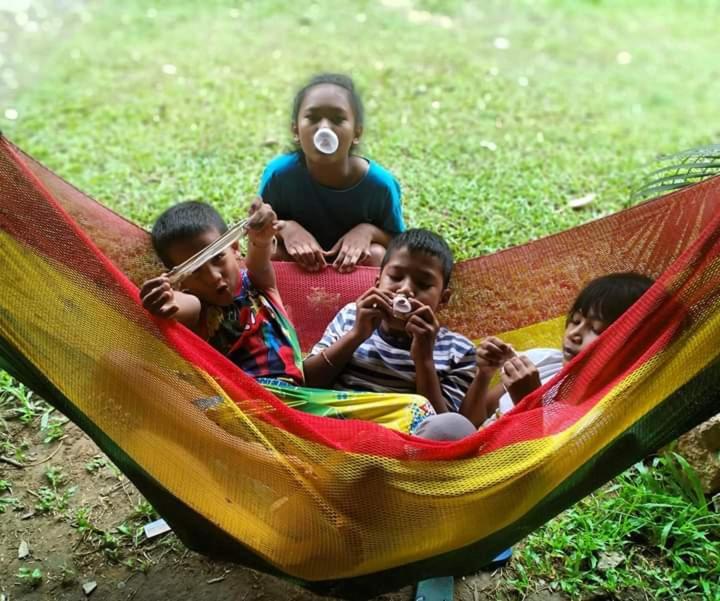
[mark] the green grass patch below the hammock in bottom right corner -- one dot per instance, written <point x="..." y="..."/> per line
<point x="651" y="530"/>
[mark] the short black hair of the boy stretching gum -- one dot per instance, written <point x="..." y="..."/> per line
<point x="182" y="221"/>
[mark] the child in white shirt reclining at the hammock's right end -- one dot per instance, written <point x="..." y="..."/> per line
<point x="598" y="305"/>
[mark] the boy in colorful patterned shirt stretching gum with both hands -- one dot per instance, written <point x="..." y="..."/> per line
<point x="239" y="311"/>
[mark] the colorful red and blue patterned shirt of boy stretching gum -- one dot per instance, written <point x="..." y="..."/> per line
<point x="255" y="334"/>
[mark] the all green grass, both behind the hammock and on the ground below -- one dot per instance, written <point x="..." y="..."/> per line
<point x="488" y="143"/>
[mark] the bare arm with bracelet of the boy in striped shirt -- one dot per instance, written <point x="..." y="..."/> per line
<point x="322" y="368"/>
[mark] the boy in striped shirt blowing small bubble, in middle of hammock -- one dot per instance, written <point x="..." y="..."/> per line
<point x="370" y="345"/>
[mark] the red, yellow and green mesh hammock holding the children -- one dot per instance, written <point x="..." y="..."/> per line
<point x="320" y="499"/>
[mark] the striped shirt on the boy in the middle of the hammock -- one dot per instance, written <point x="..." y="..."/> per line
<point x="383" y="363"/>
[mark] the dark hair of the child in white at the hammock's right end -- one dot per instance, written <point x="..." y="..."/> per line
<point x="609" y="296"/>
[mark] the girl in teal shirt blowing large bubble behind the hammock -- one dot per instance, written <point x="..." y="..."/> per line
<point x="339" y="208"/>
